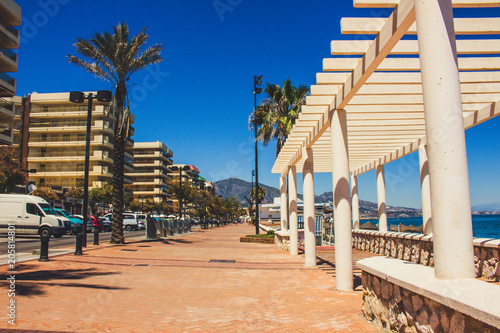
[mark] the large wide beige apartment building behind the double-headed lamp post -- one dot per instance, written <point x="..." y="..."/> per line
<point x="57" y="138"/>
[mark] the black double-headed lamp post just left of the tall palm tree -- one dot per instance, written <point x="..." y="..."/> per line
<point x="79" y="97"/>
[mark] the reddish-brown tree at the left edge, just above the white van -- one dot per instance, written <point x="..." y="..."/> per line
<point x="10" y="172"/>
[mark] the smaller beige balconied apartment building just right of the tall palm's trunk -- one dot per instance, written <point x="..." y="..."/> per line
<point x="152" y="161"/>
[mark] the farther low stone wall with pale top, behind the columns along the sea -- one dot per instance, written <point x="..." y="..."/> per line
<point x="418" y="249"/>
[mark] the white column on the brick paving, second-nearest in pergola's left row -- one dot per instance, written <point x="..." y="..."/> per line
<point x="342" y="202"/>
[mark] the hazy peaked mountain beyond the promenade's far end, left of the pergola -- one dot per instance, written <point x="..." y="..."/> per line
<point x="240" y="189"/>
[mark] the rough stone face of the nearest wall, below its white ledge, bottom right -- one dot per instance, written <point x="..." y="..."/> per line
<point x="396" y="309"/>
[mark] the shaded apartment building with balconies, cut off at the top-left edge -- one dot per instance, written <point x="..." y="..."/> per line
<point x="10" y="18"/>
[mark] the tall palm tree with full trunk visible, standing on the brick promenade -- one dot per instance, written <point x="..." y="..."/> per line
<point x="114" y="58"/>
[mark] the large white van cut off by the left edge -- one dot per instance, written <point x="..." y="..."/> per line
<point x="30" y="215"/>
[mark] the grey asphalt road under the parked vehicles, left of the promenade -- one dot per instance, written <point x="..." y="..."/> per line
<point x="30" y="243"/>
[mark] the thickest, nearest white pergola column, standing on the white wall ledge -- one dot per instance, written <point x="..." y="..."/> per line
<point x="448" y="171"/>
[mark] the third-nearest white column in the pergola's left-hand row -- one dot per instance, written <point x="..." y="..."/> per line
<point x="309" y="211"/>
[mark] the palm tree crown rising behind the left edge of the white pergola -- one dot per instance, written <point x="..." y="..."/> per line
<point x="277" y="112"/>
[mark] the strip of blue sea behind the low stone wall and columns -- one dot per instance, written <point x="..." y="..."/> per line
<point x="483" y="226"/>
